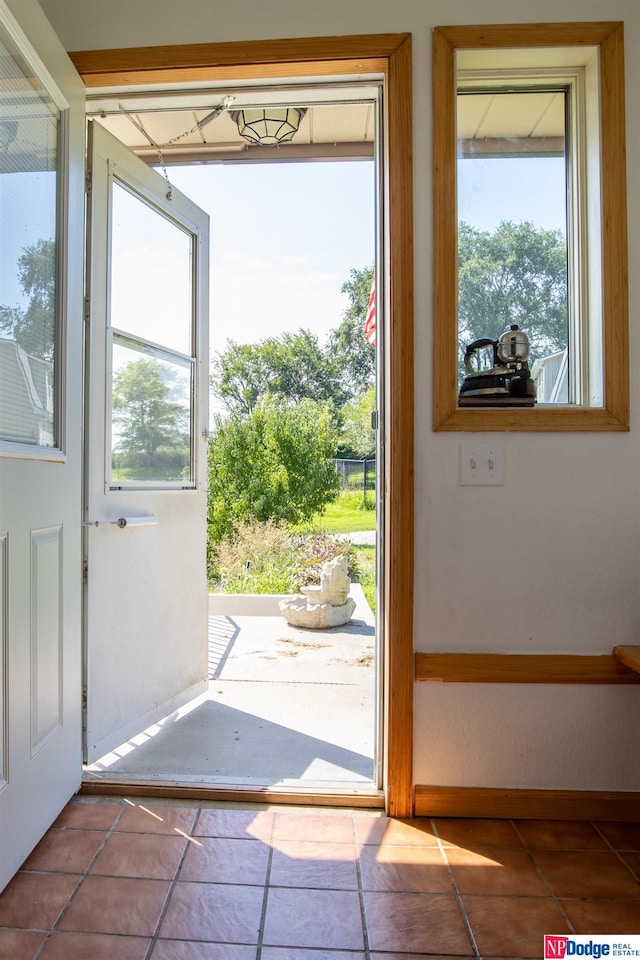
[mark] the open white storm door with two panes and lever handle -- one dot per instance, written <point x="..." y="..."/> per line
<point x="146" y="423"/>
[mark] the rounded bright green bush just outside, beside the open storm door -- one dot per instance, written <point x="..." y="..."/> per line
<point x="275" y="463"/>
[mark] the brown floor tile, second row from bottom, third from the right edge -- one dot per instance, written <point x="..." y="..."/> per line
<point x="418" y="923"/>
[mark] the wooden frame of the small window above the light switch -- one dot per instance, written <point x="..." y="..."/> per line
<point x="614" y="415"/>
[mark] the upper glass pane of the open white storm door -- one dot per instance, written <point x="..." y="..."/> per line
<point x="151" y="274"/>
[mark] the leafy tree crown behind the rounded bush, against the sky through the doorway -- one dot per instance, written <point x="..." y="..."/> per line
<point x="292" y="366"/>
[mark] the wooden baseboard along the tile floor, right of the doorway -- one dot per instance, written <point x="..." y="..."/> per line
<point x="499" y="803"/>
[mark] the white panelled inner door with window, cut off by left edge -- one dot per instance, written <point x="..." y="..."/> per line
<point x="41" y="287"/>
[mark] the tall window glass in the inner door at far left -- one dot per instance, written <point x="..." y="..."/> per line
<point x="29" y="156"/>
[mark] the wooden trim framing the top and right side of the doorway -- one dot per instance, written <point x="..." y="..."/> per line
<point x="390" y="56"/>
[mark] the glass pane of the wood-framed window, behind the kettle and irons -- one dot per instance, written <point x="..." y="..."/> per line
<point x="512" y="227"/>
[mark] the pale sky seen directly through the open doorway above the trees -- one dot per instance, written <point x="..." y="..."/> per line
<point x="284" y="238"/>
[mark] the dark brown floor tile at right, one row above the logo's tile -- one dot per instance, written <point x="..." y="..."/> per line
<point x="587" y="874"/>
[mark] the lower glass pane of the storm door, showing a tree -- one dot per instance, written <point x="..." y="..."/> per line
<point x="151" y="416"/>
